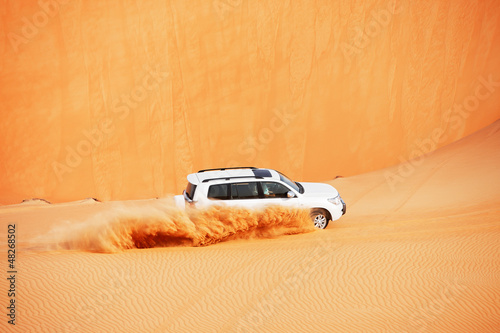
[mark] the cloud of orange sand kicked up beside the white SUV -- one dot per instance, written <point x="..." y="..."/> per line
<point x="162" y="224"/>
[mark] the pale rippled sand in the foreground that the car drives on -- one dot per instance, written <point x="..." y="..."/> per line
<point x="419" y="253"/>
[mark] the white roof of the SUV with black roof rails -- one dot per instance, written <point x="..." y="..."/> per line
<point x="238" y="174"/>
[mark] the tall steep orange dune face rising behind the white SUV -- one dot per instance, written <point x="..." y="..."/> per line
<point x="119" y="101"/>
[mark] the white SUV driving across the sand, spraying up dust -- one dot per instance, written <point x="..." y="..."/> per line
<point x="253" y="187"/>
